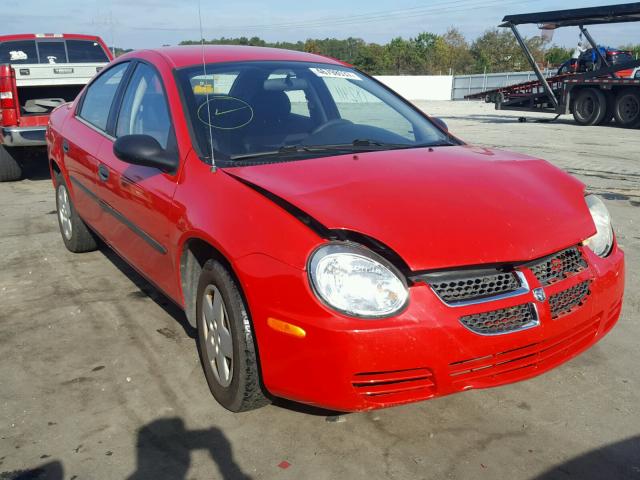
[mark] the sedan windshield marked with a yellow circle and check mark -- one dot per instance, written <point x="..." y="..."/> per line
<point x="255" y="111"/>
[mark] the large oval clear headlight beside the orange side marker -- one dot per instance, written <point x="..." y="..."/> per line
<point x="355" y="281"/>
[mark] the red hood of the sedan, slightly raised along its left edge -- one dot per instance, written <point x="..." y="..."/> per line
<point x="441" y="207"/>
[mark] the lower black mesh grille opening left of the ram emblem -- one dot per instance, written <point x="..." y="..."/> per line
<point x="501" y="321"/>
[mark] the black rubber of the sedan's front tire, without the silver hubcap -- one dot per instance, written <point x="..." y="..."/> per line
<point x="231" y="397"/>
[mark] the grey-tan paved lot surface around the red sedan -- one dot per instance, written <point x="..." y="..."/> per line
<point x="99" y="376"/>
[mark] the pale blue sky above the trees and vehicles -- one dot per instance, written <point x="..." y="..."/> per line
<point x="153" y="23"/>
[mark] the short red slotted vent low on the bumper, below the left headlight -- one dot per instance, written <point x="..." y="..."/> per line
<point x="395" y="385"/>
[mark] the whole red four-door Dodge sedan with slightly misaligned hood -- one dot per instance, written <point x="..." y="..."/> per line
<point x="331" y="244"/>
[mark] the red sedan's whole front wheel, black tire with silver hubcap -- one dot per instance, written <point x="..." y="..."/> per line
<point x="228" y="356"/>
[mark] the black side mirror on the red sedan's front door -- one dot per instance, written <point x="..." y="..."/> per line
<point x="146" y="151"/>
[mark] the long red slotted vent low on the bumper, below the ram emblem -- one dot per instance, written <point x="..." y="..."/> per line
<point x="527" y="360"/>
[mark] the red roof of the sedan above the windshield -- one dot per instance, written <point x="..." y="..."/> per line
<point x="190" y="55"/>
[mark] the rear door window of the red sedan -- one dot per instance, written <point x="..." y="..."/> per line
<point x="97" y="101"/>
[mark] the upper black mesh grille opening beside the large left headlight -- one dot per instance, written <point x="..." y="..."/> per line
<point x="473" y="285"/>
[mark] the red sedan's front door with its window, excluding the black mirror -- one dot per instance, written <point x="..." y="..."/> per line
<point x="142" y="197"/>
